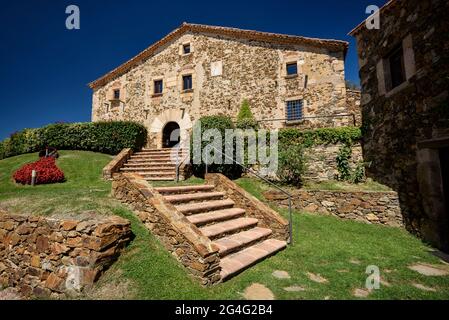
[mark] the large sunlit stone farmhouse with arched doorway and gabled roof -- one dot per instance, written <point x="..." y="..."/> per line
<point x="199" y="70"/>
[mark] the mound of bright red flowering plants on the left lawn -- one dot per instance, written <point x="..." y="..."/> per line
<point x="46" y="169"/>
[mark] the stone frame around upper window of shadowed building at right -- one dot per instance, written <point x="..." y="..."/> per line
<point x="383" y="68"/>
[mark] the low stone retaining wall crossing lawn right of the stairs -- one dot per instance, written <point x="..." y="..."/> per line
<point x="370" y="207"/>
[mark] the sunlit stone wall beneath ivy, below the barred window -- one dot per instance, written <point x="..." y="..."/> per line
<point x="322" y="161"/>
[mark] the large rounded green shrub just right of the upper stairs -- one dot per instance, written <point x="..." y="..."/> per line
<point x="221" y="123"/>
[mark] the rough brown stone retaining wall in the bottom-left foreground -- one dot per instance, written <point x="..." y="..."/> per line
<point x="44" y="257"/>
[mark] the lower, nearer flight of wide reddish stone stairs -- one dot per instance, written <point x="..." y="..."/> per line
<point x="241" y="242"/>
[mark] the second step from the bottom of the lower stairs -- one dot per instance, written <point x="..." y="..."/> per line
<point x="242" y="239"/>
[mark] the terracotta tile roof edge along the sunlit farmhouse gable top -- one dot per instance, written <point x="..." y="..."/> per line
<point x="336" y="45"/>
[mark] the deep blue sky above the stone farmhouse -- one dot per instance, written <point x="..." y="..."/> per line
<point x="45" y="68"/>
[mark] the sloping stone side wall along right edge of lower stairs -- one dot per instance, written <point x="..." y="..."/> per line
<point x="268" y="218"/>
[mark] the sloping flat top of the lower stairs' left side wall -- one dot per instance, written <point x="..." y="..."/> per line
<point x="193" y="235"/>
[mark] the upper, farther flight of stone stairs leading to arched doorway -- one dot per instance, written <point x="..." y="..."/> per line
<point x="155" y="164"/>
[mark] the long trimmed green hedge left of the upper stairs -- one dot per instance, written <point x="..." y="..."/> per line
<point x="105" y="137"/>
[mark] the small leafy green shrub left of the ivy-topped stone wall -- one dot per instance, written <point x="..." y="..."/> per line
<point x="292" y="165"/>
